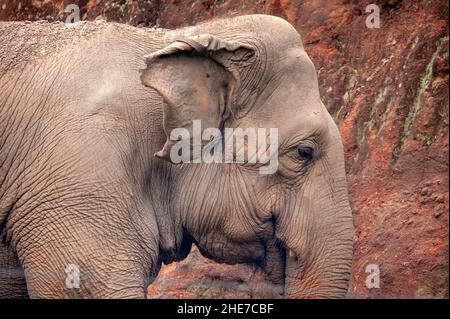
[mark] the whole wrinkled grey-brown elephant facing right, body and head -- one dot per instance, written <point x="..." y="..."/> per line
<point x="81" y="118"/>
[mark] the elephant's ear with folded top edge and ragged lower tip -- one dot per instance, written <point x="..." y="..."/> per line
<point x="196" y="77"/>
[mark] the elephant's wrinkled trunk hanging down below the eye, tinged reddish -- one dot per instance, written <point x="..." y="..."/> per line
<point x="318" y="238"/>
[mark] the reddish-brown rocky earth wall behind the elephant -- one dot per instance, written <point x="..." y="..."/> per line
<point x="387" y="89"/>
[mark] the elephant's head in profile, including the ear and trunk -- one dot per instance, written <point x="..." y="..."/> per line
<point x="295" y="223"/>
